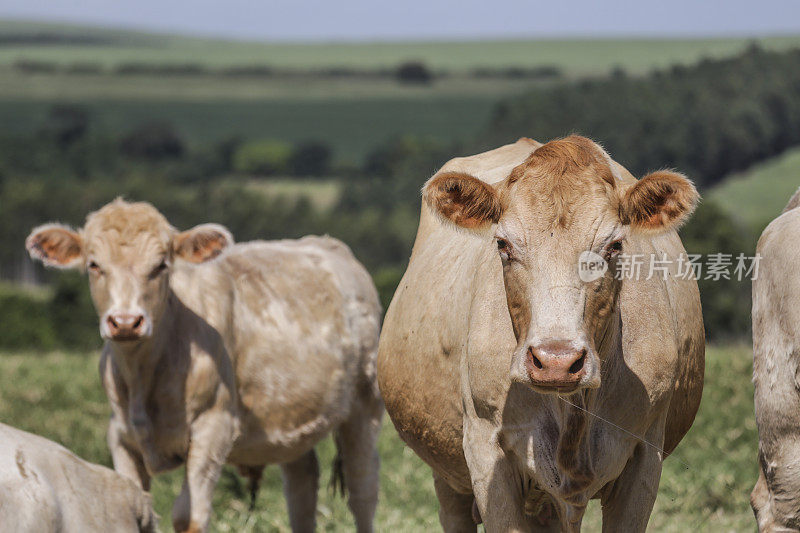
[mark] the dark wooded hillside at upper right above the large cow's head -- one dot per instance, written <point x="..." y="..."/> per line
<point x="708" y="120"/>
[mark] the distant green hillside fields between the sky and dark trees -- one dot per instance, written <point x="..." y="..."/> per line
<point x="351" y="114"/>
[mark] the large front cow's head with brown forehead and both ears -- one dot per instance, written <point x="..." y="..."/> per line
<point x="566" y="199"/>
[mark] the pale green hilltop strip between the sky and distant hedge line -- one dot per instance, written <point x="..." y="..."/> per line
<point x="575" y="56"/>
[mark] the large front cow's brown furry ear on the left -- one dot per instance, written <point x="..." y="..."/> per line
<point x="463" y="199"/>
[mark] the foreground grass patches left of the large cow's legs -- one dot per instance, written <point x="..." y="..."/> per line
<point x="59" y="396"/>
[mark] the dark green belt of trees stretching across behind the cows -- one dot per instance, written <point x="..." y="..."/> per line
<point x="706" y="120"/>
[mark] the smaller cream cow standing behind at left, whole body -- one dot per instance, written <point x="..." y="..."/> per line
<point x="247" y="354"/>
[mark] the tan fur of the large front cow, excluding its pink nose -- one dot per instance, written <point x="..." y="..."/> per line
<point x="449" y="362"/>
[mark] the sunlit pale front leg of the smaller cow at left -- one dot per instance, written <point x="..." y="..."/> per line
<point x="212" y="436"/>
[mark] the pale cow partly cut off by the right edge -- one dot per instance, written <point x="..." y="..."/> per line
<point x="776" y="373"/>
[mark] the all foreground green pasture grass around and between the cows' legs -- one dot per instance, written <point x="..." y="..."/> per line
<point x="705" y="485"/>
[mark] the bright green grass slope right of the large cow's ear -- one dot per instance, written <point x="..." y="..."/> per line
<point x="757" y="196"/>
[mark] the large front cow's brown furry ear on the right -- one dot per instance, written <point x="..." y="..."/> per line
<point x="658" y="202"/>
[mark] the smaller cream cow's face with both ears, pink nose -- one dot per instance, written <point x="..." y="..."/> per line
<point x="128" y="250"/>
